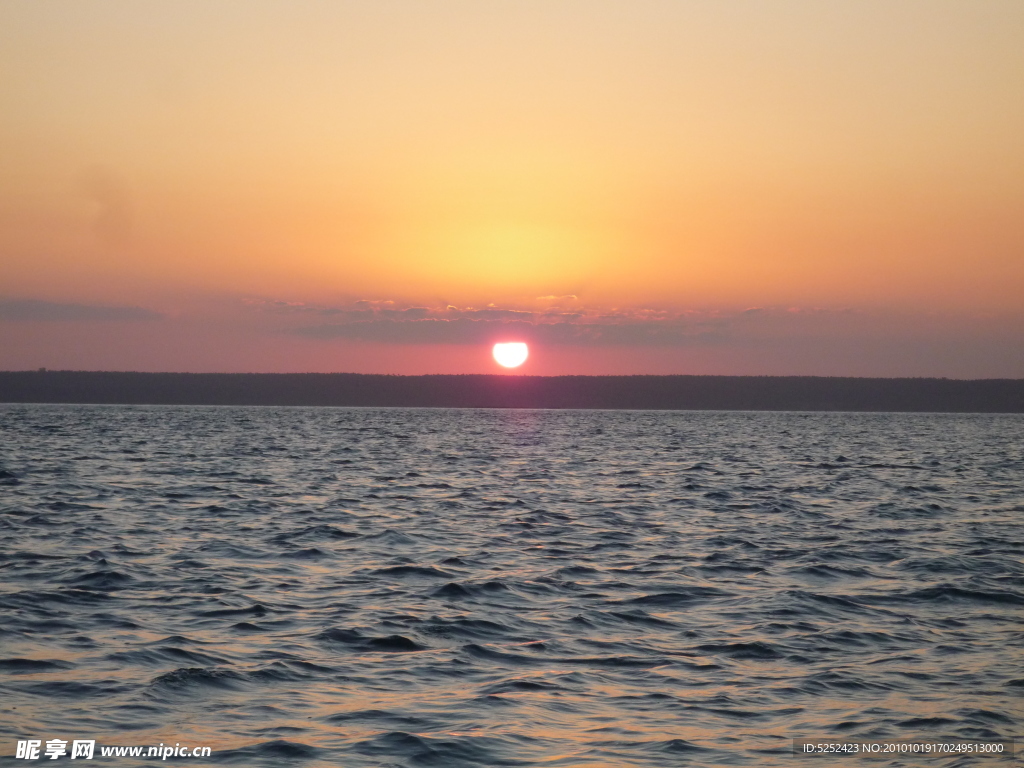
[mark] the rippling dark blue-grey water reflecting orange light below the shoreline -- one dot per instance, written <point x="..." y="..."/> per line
<point x="357" y="587"/>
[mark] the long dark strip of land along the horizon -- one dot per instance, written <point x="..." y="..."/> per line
<point x="641" y="393"/>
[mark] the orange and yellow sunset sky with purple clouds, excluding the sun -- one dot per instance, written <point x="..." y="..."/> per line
<point x="631" y="187"/>
